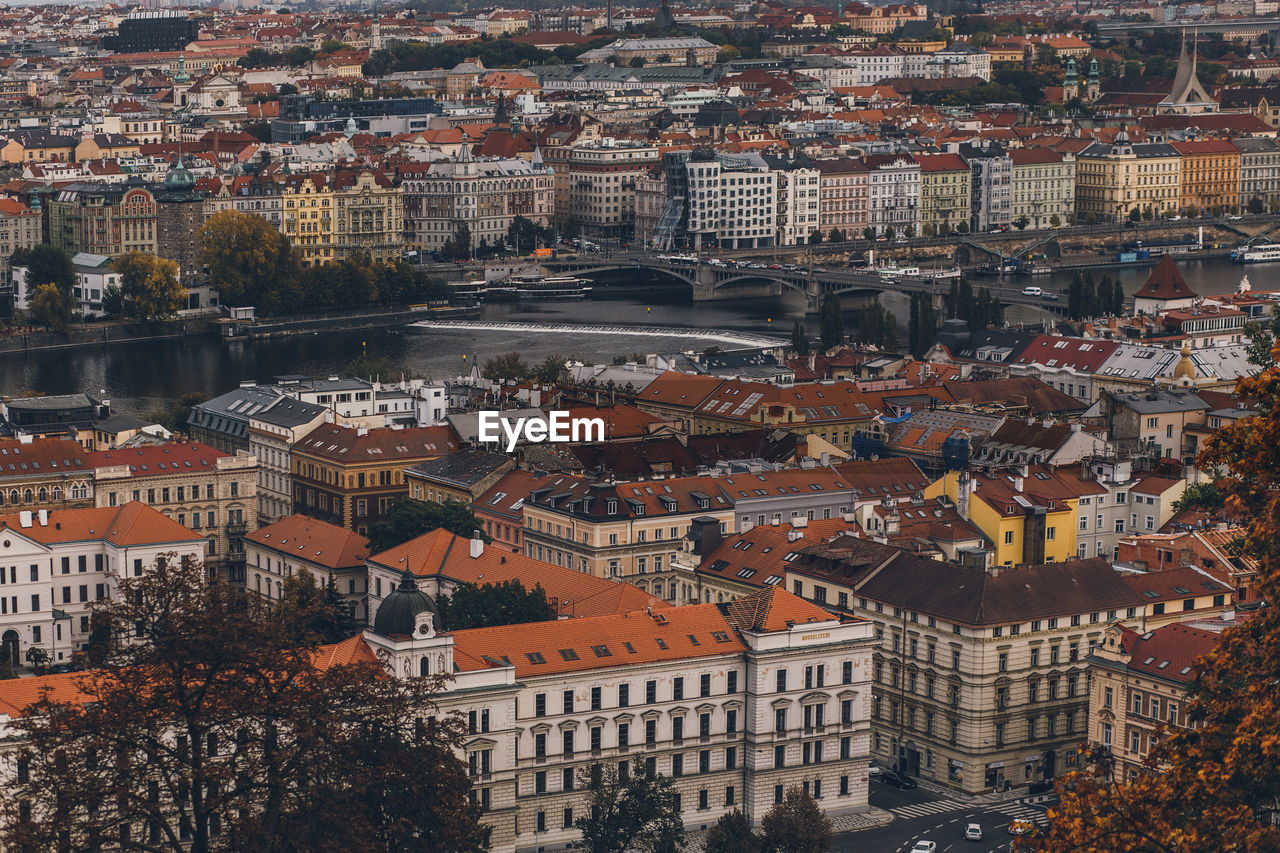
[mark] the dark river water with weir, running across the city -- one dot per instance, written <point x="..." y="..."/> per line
<point x="141" y="377"/>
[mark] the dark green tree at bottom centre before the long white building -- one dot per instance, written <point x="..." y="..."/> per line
<point x="630" y="811"/>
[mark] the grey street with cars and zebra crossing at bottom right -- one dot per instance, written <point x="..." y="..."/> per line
<point x="927" y="816"/>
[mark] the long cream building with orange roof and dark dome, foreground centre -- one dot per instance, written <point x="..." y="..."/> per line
<point x="735" y="704"/>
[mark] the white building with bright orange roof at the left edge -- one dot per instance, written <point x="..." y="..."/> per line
<point x="58" y="563"/>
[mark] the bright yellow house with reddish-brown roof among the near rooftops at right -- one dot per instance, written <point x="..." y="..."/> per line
<point x="1028" y="513"/>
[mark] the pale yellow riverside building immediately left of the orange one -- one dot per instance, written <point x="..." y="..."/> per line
<point x="1114" y="180"/>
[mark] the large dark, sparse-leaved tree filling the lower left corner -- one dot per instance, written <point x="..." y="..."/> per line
<point x="207" y="729"/>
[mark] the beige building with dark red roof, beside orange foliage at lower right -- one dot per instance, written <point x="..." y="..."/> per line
<point x="1140" y="685"/>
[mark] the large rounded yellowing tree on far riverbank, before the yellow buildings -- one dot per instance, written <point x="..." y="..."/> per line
<point x="246" y="257"/>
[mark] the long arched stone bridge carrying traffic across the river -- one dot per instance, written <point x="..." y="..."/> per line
<point x="712" y="282"/>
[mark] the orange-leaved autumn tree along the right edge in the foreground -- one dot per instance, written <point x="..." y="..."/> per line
<point x="1214" y="787"/>
